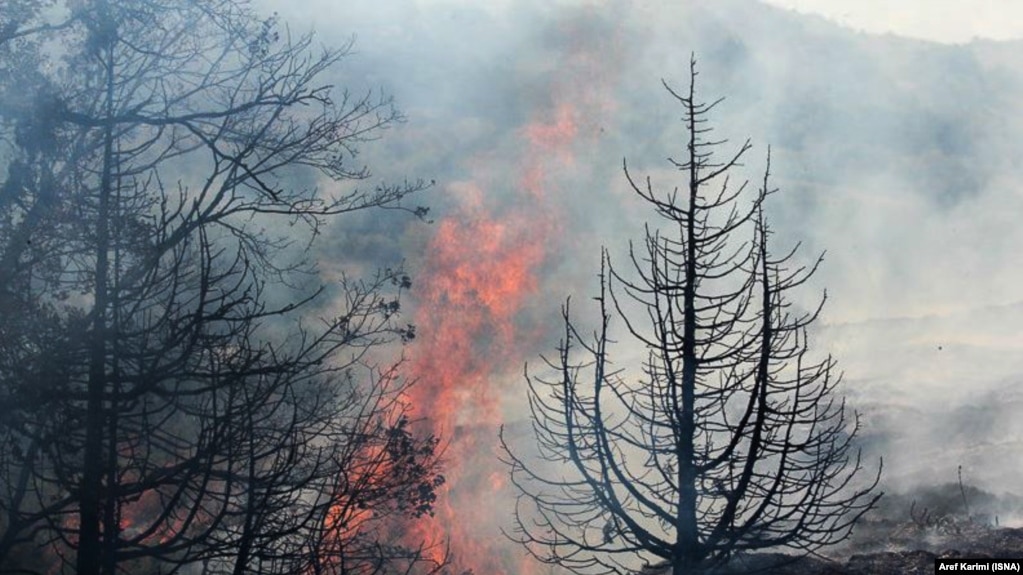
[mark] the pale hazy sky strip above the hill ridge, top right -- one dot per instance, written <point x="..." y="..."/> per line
<point x="940" y="21"/>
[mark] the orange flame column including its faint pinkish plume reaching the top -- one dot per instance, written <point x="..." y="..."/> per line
<point x="481" y="272"/>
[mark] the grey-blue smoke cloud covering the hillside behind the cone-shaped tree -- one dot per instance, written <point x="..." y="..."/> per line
<point x="899" y="157"/>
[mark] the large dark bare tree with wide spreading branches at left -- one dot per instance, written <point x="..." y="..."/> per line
<point x="168" y="165"/>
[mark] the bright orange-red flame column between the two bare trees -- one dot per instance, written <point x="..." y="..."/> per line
<point x="482" y="272"/>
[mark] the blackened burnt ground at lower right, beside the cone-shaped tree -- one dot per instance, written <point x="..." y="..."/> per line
<point x="906" y="536"/>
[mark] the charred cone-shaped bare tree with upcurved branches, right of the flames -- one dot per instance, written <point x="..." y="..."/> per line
<point x="728" y="439"/>
